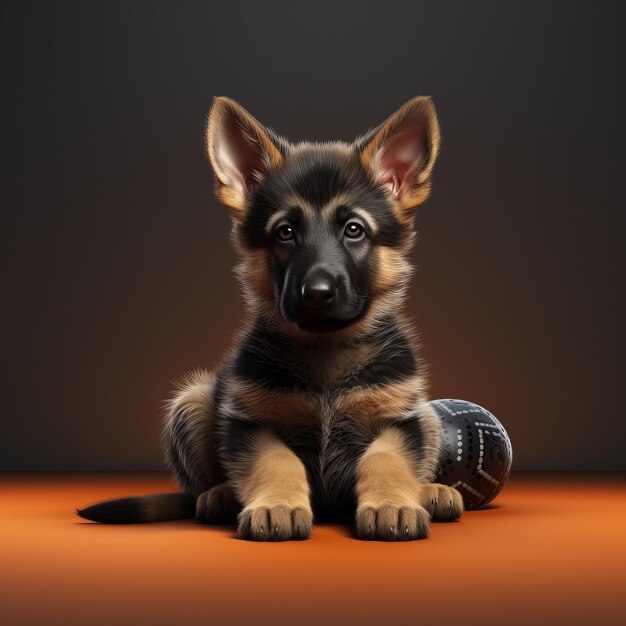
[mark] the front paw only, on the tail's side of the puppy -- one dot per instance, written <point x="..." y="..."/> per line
<point x="275" y="523"/>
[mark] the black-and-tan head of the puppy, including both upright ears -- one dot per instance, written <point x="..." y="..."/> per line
<point x="323" y="228"/>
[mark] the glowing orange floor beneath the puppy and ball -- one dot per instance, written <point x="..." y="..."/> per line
<point x="551" y="550"/>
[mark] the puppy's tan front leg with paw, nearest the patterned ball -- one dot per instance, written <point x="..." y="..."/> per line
<point x="389" y="491"/>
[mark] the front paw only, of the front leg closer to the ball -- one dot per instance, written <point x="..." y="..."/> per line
<point x="388" y="522"/>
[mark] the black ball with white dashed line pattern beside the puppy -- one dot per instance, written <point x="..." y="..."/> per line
<point x="476" y="452"/>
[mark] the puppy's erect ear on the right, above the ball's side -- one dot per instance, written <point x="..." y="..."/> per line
<point x="401" y="152"/>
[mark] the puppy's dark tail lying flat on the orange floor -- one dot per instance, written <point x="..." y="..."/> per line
<point x="159" y="507"/>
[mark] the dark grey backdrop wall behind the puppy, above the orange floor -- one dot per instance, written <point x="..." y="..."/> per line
<point x="115" y="272"/>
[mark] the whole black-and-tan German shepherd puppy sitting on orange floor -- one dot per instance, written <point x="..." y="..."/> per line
<point x="320" y="410"/>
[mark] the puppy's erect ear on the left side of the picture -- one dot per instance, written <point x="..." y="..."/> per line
<point x="241" y="152"/>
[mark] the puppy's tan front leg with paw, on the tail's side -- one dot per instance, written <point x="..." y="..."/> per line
<point x="271" y="484"/>
